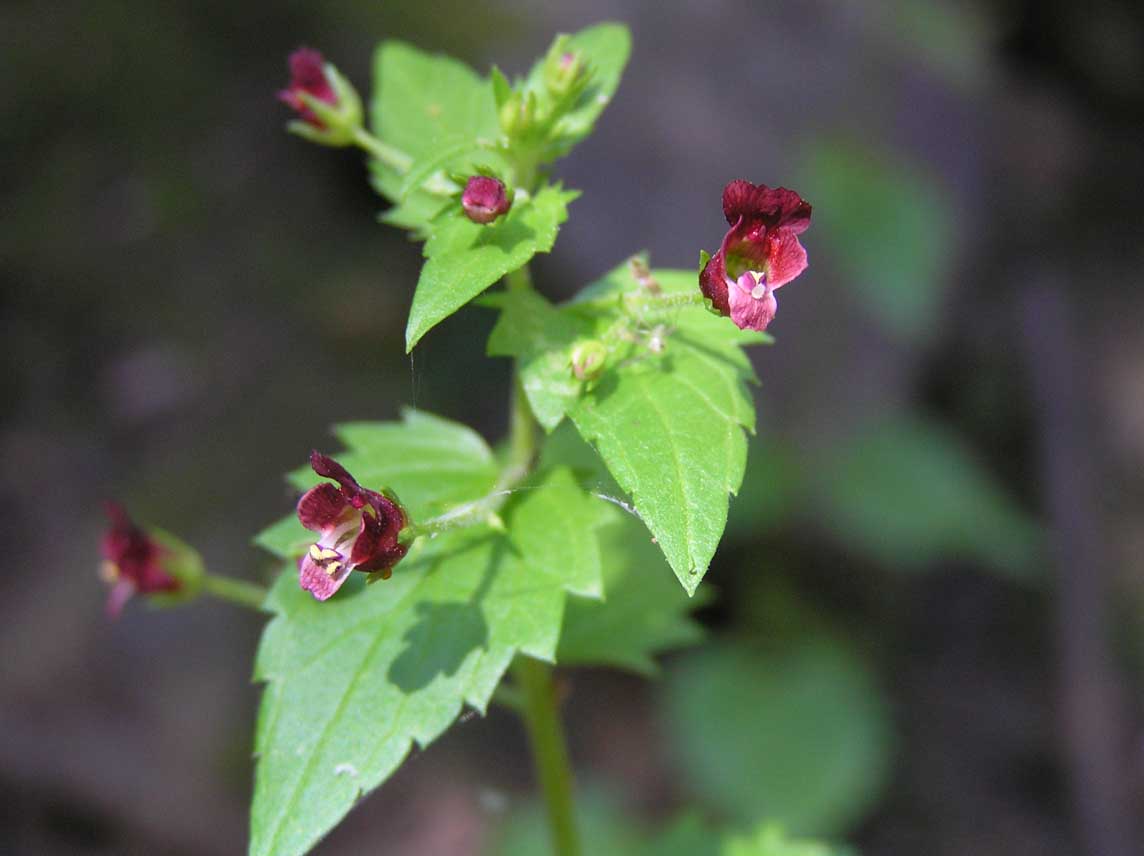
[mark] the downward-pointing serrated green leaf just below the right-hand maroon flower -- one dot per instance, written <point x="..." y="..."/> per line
<point x="671" y="429"/>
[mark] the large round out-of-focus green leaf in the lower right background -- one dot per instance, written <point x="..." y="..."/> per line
<point x="804" y="732"/>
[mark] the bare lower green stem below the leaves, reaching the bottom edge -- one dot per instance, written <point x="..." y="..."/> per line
<point x="550" y="751"/>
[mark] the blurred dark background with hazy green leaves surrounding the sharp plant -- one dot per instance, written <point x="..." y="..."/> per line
<point x="928" y="631"/>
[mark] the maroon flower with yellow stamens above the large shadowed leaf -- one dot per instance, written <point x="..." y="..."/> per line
<point x="359" y="530"/>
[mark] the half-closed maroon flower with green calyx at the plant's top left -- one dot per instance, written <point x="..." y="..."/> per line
<point x="328" y="105"/>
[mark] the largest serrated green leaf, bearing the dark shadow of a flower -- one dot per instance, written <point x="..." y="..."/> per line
<point x="353" y="683"/>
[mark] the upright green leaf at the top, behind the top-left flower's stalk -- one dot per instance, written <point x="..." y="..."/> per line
<point x="424" y="104"/>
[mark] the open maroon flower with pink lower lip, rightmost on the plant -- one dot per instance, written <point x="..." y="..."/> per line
<point x="760" y="252"/>
